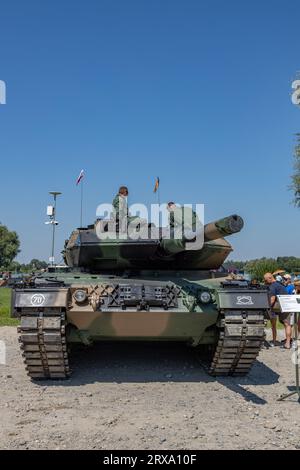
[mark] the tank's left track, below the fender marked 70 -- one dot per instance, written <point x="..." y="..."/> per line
<point x="43" y="343"/>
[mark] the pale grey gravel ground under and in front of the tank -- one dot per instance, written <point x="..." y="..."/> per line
<point x="147" y="396"/>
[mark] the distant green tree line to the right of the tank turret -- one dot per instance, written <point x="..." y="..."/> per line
<point x="258" y="267"/>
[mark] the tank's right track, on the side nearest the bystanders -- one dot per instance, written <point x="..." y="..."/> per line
<point x="240" y="340"/>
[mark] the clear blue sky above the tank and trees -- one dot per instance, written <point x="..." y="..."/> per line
<point x="196" y="91"/>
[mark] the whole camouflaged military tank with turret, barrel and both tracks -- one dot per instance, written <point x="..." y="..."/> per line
<point x="141" y="290"/>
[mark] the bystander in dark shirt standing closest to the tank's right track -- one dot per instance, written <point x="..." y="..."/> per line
<point x="275" y="289"/>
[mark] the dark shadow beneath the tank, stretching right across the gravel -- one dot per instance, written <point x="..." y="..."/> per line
<point x="154" y="362"/>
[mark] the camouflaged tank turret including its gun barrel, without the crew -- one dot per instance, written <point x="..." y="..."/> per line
<point x="84" y="249"/>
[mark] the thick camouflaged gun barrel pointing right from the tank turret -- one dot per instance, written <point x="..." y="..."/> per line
<point x="223" y="227"/>
